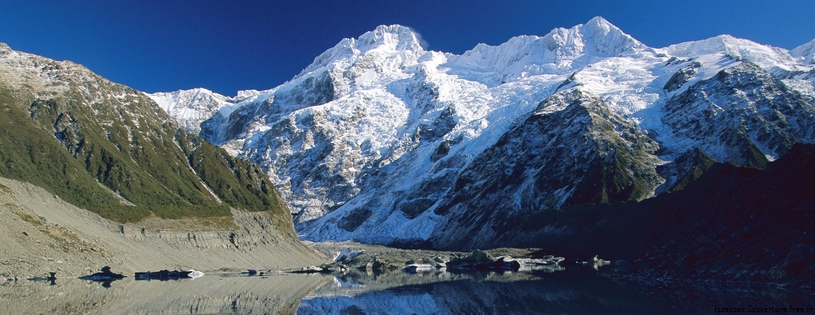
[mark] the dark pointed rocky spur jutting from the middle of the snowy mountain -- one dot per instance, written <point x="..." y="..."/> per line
<point x="570" y="151"/>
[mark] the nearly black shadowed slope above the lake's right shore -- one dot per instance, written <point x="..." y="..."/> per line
<point x="731" y="224"/>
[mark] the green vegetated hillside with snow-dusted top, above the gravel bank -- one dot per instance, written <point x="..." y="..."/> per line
<point x="94" y="140"/>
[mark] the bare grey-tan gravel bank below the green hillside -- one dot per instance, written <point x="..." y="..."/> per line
<point x="43" y="233"/>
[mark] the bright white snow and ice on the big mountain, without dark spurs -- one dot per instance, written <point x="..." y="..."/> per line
<point x="376" y="126"/>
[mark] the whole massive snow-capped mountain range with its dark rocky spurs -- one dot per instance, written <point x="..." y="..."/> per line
<point x="382" y="141"/>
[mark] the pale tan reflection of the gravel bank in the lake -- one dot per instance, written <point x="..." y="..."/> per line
<point x="211" y="294"/>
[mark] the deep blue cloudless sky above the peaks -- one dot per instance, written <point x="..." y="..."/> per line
<point x="232" y="45"/>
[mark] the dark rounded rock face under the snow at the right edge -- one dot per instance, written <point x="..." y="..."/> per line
<point x="743" y="115"/>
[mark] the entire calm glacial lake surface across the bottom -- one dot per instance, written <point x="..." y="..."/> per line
<point x="572" y="291"/>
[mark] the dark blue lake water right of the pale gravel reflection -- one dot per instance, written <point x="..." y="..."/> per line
<point x="577" y="290"/>
